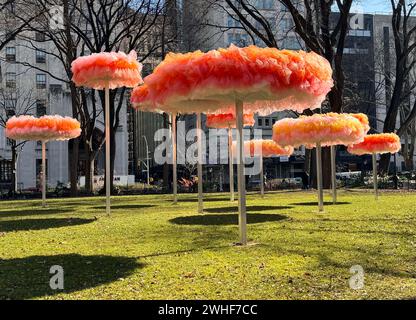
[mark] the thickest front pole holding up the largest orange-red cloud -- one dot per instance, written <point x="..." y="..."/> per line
<point x="242" y="216"/>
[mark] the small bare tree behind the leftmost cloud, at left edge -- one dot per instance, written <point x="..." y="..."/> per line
<point x="15" y="103"/>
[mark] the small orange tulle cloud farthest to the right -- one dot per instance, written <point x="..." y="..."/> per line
<point x="377" y="143"/>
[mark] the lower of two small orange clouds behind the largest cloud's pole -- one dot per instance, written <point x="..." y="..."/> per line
<point x="265" y="148"/>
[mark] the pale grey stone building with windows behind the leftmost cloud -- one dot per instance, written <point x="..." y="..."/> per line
<point x="31" y="73"/>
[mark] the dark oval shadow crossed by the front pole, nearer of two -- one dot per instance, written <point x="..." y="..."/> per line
<point x="225" y="219"/>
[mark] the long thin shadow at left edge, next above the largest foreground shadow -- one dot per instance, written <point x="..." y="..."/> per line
<point x="40" y="224"/>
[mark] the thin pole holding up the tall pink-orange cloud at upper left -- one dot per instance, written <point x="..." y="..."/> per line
<point x="107" y="151"/>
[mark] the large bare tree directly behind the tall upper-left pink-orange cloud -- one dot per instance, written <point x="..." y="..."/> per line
<point x="96" y="26"/>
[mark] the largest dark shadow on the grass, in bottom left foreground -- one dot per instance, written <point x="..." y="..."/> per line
<point x="29" y="277"/>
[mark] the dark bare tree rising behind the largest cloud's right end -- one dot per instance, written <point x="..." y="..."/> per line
<point x="320" y="31"/>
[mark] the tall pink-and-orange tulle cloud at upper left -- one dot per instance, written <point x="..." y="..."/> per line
<point x="115" y="69"/>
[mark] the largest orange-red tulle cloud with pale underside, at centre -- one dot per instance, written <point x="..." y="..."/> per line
<point x="265" y="79"/>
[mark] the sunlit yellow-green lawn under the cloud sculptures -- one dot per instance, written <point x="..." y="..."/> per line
<point x="151" y="249"/>
